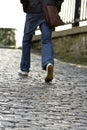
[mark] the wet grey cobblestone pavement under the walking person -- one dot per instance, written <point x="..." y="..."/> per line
<point x="31" y="104"/>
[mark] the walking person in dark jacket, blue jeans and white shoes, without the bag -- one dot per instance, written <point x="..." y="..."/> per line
<point x="34" y="18"/>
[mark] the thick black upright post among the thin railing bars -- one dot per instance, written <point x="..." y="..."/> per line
<point x="77" y="13"/>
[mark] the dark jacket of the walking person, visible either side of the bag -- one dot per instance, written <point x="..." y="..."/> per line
<point x="34" y="6"/>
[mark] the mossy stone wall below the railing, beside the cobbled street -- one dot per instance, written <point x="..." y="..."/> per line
<point x="69" y="45"/>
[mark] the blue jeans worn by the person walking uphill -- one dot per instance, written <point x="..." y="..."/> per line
<point x="32" y="21"/>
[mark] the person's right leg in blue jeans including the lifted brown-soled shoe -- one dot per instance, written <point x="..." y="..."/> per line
<point x="47" y="51"/>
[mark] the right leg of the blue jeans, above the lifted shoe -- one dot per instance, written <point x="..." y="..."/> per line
<point x="47" y="45"/>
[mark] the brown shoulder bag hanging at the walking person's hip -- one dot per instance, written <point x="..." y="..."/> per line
<point x="51" y="14"/>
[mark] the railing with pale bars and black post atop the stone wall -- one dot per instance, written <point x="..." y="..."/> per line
<point x="74" y="11"/>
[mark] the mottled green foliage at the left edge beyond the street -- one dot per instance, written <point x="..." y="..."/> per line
<point x="7" y="36"/>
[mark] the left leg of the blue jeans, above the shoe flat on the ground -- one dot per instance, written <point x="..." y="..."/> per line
<point x="26" y="44"/>
